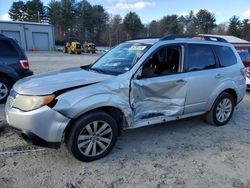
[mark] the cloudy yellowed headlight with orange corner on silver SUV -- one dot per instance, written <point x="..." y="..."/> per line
<point x="28" y="103"/>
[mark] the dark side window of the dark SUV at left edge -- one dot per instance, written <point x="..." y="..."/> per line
<point x="7" y="49"/>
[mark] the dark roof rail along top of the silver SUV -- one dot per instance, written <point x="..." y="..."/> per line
<point x="199" y="36"/>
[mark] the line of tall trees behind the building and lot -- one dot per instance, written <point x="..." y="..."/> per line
<point x="82" y="21"/>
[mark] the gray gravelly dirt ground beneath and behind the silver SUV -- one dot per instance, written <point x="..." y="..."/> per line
<point x="185" y="153"/>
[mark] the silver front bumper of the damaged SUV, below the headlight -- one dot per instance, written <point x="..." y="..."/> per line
<point x="43" y="126"/>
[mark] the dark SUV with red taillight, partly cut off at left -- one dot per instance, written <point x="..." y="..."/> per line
<point x="13" y="65"/>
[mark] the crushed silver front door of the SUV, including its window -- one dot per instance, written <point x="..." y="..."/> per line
<point x="159" y="88"/>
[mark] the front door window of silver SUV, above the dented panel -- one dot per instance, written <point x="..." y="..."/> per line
<point x="165" y="61"/>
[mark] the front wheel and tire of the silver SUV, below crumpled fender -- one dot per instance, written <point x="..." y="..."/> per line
<point x="92" y="136"/>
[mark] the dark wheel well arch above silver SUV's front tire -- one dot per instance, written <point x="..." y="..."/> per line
<point x="116" y="113"/>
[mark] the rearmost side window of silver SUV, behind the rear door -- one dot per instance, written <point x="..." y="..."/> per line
<point x="226" y="56"/>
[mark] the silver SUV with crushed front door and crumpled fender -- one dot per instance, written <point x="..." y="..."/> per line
<point x="137" y="83"/>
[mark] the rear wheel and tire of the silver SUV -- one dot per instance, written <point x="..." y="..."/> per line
<point x="222" y="110"/>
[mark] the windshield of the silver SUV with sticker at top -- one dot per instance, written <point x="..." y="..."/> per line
<point x="120" y="59"/>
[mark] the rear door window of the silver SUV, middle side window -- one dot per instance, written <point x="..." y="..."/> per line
<point x="200" y="57"/>
